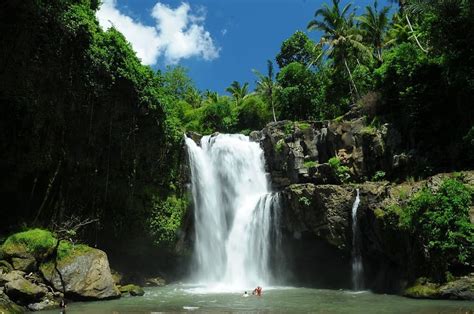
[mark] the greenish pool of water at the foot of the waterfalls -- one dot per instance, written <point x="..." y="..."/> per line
<point x="185" y="298"/>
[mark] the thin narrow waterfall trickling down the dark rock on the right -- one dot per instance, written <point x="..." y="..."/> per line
<point x="357" y="267"/>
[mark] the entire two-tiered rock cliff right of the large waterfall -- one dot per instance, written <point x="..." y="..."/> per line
<point x="317" y="197"/>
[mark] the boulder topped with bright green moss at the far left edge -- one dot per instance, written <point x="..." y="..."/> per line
<point x="36" y="243"/>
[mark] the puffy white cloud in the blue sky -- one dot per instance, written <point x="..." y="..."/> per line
<point x="178" y="34"/>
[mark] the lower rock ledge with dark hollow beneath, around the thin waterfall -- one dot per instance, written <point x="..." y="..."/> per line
<point x="317" y="217"/>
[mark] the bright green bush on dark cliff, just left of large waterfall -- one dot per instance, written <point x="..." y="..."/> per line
<point x="167" y="218"/>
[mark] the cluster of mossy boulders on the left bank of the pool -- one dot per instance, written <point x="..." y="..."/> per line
<point x="39" y="272"/>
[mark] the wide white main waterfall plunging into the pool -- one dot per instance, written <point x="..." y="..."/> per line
<point x="236" y="215"/>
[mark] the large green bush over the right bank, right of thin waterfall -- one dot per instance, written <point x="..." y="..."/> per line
<point x="440" y="220"/>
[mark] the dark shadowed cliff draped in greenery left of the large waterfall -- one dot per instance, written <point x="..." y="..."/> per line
<point x="85" y="126"/>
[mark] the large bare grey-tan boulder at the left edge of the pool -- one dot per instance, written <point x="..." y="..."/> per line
<point x="86" y="275"/>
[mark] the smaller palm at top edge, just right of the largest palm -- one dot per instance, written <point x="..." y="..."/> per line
<point x="374" y="24"/>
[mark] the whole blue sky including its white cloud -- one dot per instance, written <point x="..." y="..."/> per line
<point x="218" y="41"/>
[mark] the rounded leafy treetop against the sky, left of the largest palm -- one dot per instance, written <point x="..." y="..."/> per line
<point x="298" y="48"/>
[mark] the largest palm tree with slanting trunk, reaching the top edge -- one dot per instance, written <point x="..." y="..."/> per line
<point x="340" y="36"/>
